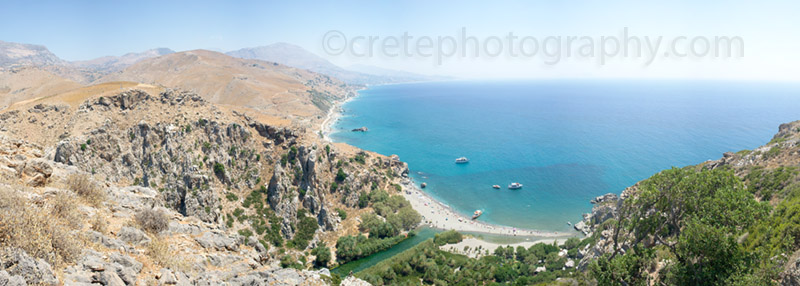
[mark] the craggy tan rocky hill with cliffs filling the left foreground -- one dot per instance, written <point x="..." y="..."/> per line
<point x="158" y="186"/>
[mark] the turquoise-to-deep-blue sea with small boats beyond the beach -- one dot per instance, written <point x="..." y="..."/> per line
<point x="566" y="141"/>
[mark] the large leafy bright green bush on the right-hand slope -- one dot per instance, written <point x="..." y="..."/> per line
<point x="696" y="217"/>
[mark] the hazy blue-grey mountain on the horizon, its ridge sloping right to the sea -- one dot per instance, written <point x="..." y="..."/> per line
<point x="296" y="56"/>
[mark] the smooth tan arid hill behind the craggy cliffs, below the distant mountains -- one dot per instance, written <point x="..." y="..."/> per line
<point x="276" y="90"/>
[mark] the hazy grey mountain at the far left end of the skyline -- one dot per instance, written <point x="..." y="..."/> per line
<point x="15" y="54"/>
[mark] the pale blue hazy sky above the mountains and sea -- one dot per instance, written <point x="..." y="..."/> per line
<point x="81" y="30"/>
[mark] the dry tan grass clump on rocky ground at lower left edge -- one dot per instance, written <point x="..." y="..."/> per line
<point x="36" y="230"/>
